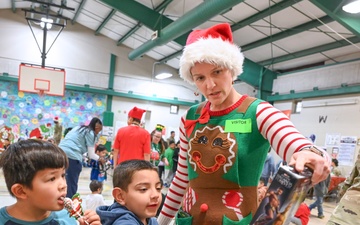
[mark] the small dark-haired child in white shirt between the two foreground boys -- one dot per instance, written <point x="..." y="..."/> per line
<point x="95" y="199"/>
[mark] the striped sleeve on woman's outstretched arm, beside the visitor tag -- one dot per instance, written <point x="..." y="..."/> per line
<point x="276" y="127"/>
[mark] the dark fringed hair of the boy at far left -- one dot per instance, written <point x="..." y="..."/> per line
<point x="23" y="159"/>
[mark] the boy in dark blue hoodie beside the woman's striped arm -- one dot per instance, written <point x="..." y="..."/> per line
<point x="137" y="194"/>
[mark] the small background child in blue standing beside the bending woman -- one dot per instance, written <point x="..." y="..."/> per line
<point x="98" y="170"/>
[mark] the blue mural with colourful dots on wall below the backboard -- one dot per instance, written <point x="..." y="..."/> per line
<point x="26" y="112"/>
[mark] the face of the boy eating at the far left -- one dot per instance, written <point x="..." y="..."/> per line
<point x="48" y="187"/>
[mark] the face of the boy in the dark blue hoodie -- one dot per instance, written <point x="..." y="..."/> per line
<point x="143" y="197"/>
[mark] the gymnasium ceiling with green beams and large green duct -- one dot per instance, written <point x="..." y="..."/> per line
<point x="277" y="35"/>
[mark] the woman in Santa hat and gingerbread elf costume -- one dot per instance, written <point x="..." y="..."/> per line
<point x="224" y="140"/>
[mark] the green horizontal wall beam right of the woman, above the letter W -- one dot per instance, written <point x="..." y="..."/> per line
<point x="317" y="93"/>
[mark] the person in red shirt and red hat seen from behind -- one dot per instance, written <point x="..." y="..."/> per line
<point x="132" y="141"/>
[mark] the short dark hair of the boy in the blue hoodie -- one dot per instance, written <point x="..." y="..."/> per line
<point x="124" y="172"/>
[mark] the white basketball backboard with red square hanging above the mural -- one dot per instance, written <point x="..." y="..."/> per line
<point x="47" y="80"/>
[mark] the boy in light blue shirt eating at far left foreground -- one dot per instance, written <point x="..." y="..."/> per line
<point x="34" y="172"/>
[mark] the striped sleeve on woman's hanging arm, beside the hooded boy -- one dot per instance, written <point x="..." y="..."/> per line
<point x="179" y="184"/>
